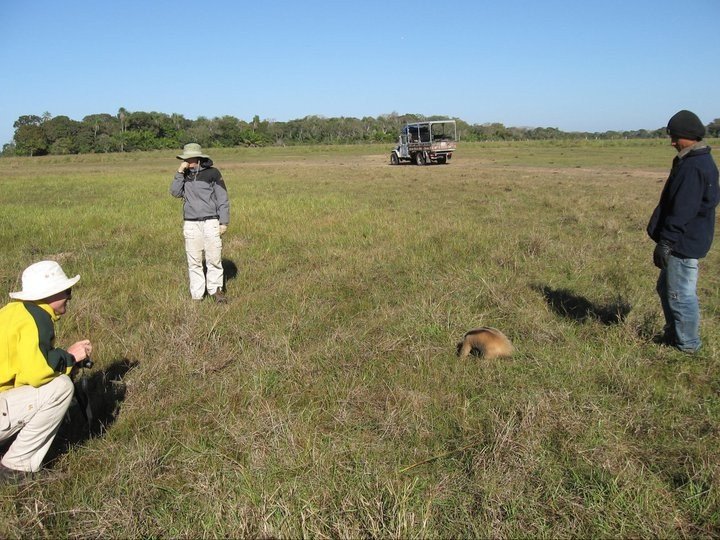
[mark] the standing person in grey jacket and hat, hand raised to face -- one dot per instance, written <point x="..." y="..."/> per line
<point x="206" y="213"/>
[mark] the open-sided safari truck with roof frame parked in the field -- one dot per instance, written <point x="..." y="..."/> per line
<point x="426" y="142"/>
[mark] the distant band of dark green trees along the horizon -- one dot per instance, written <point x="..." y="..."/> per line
<point x="131" y="131"/>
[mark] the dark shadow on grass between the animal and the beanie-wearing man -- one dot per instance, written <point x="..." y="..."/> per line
<point x="580" y="309"/>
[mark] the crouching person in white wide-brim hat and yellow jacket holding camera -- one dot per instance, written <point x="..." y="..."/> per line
<point x="35" y="390"/>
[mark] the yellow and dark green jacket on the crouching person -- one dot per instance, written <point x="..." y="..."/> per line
<point x="28" y="355"/>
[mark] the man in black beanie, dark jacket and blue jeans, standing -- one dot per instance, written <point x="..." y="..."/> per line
<point x="682" y="226"/>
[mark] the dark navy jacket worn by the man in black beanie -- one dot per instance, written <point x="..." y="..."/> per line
<point x="685" y="215"/>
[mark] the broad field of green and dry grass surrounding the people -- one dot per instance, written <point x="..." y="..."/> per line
<point x="325" y="399"/>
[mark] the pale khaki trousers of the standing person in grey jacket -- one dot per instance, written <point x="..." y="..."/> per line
<point x="203" y="236"/>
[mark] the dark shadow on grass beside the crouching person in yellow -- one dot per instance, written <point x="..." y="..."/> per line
<point x="98" y="395"/>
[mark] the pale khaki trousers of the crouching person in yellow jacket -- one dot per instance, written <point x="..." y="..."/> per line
<point x="35" y="415"/>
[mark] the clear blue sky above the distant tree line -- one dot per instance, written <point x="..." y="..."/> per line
<point x="576" y="65"/>
